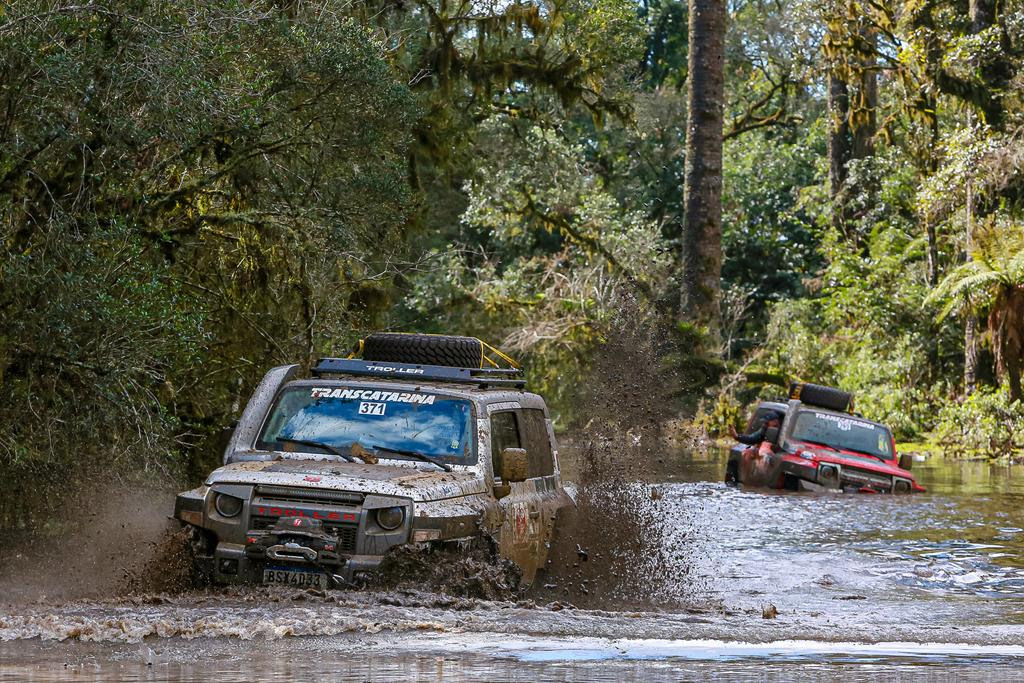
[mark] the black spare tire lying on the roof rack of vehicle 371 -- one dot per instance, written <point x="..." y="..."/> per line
<point x="422" y="350"/>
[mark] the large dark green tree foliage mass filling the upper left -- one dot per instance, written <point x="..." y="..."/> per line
<point x="190" y="193"/>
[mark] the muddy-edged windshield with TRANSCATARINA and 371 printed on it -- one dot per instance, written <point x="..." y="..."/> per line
<point x="340" y="417"/>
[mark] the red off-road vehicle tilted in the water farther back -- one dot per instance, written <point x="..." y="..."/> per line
<point x="822" y="445"/>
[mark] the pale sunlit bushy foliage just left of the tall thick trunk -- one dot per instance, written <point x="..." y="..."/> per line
<point x="560" y="257"/>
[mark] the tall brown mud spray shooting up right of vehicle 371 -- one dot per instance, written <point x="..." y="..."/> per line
<point x="612" y="552"/>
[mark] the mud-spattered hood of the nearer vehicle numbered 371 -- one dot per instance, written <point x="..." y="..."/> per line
<point x="419" y="485"/>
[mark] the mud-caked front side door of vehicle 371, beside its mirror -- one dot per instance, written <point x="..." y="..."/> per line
<point x="521" y="535"/>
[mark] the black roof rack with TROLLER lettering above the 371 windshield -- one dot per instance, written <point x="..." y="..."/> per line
<point x="483" y="377"/>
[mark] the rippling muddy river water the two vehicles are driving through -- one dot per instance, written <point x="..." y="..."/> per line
<point x="863" y="587"/>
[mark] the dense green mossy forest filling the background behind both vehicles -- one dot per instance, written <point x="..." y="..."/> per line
<point x="193" y="192"/>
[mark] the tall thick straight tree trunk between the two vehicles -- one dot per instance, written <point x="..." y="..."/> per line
<point x="702" y="261"/>
